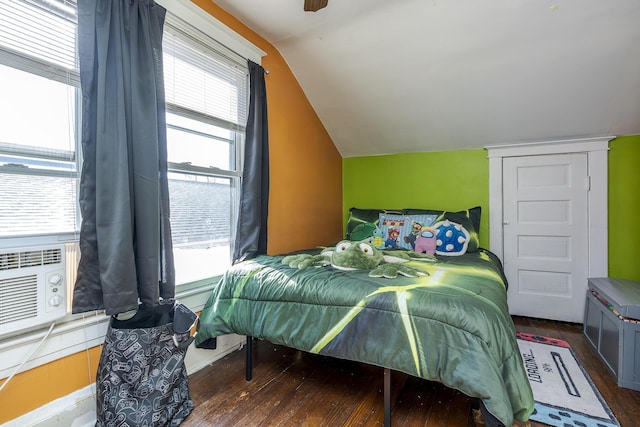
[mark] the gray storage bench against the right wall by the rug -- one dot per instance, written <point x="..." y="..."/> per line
<point x="612" y="327"/>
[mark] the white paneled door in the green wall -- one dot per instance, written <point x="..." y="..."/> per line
<point x="545" y="229"/>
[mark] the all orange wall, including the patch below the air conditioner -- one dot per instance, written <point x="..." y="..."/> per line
<point x="305" y="196"/>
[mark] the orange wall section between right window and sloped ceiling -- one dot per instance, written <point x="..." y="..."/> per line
<point x="306" y="168"/>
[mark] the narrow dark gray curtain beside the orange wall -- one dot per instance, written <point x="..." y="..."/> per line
<point x="251" y="230"/>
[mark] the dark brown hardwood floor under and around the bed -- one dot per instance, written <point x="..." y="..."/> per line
<point x="293" y="388"/>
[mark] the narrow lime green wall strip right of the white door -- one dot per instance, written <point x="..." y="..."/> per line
<point x="624" y="207"/>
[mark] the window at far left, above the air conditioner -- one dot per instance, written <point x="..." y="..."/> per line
<point x="39" y="82"/>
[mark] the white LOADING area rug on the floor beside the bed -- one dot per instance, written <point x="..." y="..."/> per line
<point x="564" y="393"/>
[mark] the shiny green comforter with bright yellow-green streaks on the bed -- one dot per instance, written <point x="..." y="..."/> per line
<point x="452" y="326"/>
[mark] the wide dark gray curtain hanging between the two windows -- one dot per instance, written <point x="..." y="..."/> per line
<point x="125" y="237"/>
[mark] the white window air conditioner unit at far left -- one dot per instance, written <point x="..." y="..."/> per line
<point x="32" y="287"/>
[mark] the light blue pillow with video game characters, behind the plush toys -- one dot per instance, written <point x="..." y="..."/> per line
<point x="400" y="231"/>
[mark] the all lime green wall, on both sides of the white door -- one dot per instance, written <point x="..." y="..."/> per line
<point x="457" y="180"/>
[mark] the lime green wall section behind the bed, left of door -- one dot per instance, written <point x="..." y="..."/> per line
<point x="448" y="180"/>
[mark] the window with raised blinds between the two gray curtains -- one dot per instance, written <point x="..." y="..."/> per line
<point x="206" y="88"/>
